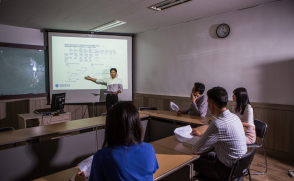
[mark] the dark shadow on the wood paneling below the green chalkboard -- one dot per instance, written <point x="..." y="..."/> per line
<point x="12" y="110"/>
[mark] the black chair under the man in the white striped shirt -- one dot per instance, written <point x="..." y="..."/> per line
<point x="239" y="169"/>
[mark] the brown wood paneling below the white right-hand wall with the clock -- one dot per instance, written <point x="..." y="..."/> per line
<point x="279" y="141"/>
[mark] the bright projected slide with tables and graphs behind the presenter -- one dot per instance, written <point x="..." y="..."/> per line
<point x="73" y="58"/>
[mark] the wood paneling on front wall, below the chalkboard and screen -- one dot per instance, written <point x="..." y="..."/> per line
<point x="9" y="109"/>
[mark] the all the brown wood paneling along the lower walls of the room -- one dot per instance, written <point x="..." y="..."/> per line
<point x="279" y="118"/>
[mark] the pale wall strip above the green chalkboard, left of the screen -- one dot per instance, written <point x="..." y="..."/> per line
<point x="18" y="35"/>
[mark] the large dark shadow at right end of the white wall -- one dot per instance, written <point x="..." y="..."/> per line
<point x="277" y="82"/>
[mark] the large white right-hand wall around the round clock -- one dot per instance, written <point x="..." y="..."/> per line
<point x="258" y="55"/>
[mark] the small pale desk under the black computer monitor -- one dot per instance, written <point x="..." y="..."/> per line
<point x="43" y="120"/>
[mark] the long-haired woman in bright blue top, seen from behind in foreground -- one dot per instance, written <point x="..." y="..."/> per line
<point x="124" y="156"/>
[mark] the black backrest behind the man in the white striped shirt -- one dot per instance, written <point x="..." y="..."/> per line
<point x="241" y="165"/>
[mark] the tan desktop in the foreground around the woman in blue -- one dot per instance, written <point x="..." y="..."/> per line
<point x="169" y="161"/>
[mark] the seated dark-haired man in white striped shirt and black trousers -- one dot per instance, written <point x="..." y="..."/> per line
<point x="225" y="135"/>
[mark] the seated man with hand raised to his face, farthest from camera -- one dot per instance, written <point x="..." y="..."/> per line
<point x="199" y="101"/>
